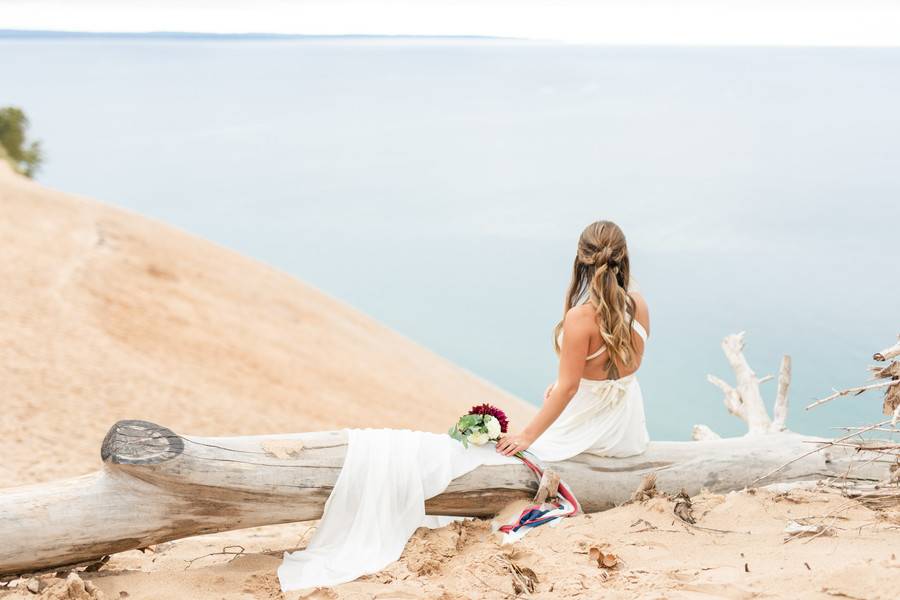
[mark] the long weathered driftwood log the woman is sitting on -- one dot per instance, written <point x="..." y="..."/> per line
<point x="156" y="485"/>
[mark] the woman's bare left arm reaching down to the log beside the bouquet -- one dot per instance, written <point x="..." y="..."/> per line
<point x="577" y="328"/>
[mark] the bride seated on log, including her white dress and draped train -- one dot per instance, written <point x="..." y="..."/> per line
<point x="378" y="500"/>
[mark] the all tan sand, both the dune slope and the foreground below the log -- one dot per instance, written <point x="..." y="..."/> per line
<point x="106" y="315"/>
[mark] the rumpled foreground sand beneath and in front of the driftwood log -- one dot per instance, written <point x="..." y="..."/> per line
<point x="736" y="550"/>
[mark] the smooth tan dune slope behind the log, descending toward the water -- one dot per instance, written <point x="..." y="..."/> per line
<point x="106" y="315"/>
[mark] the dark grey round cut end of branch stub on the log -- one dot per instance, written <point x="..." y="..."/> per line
<point x="135" y="442"/>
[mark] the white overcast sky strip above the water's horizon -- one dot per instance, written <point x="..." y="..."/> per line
<point x="662" y="22"/>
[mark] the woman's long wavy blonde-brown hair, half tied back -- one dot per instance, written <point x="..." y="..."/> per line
<point x="602" y="271"/>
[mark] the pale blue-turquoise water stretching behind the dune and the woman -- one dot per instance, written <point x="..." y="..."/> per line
<point x="440" y="187"/>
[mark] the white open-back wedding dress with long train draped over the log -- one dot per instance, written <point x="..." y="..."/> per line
<point x="378" y="500"/>
